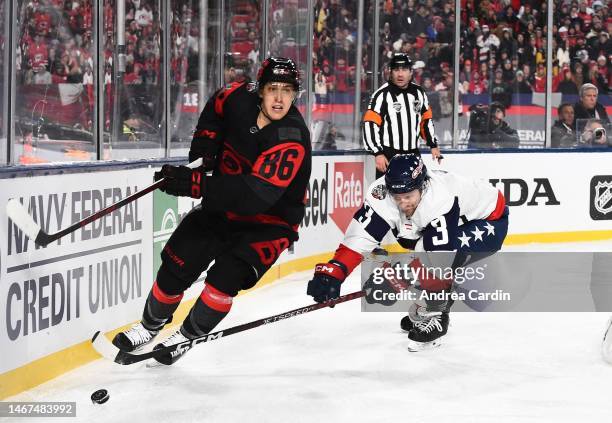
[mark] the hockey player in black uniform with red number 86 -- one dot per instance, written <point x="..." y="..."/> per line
<point x="258" y="146"/>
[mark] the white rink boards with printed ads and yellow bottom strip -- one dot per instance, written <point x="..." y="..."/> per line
<point x="54" y="298"/>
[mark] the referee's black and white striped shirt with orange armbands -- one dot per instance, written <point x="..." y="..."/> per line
<point x="396" y="118"/>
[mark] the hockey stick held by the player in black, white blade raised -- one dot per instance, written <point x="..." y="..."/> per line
<point x="18" y="213"/>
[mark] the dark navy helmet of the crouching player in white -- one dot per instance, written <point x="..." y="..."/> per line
<point x="405" y="173"/>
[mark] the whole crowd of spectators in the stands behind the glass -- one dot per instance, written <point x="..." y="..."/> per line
<point x="503" y="44"/>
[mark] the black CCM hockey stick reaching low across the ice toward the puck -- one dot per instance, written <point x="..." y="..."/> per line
<point x="108" y="350"/>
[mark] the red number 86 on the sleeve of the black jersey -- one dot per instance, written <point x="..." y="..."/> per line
<point x="279" y="165"/>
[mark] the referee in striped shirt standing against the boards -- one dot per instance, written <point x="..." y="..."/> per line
<point x="398" y="114"/>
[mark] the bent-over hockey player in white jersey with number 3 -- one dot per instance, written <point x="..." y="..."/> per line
<point x="426" y="210"/>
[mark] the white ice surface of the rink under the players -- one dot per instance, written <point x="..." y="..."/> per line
<point x="344" y="365"/>
